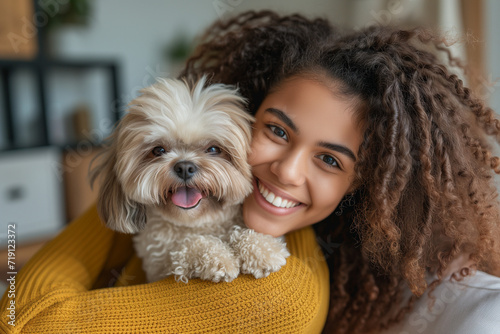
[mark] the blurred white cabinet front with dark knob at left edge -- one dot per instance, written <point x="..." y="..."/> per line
<point x="31" y="194"/>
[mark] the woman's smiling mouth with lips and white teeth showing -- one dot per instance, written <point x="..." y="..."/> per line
<point x="272" y="202"/>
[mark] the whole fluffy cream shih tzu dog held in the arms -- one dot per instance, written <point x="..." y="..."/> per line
<point x="176" y="172"/>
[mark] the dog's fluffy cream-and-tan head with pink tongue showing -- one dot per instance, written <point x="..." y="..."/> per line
<point x="180" y="151"/>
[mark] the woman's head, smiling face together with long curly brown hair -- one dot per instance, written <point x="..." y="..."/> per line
<point x="372" y="123"/>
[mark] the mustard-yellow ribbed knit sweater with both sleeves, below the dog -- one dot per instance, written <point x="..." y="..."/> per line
<point x="76" y="284"/>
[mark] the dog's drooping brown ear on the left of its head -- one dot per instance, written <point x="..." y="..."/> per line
<point x="119" y="212"/>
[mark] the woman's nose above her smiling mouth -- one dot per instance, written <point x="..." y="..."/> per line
<point x="291" y="169"/>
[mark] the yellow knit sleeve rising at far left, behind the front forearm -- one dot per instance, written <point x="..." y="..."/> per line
<point x="68" y="265"/>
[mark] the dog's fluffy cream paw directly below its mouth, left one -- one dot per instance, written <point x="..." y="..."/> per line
<point x="208" y="259"/>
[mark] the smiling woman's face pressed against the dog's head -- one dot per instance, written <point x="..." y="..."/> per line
<point x="304" y="147"/>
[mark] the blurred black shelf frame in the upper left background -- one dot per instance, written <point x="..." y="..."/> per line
<point x="40" y="65"/>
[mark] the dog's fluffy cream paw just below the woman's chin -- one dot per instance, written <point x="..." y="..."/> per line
<point x="260" y="254"/>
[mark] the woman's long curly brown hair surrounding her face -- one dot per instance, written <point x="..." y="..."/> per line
<point x="425" y="190"/>
